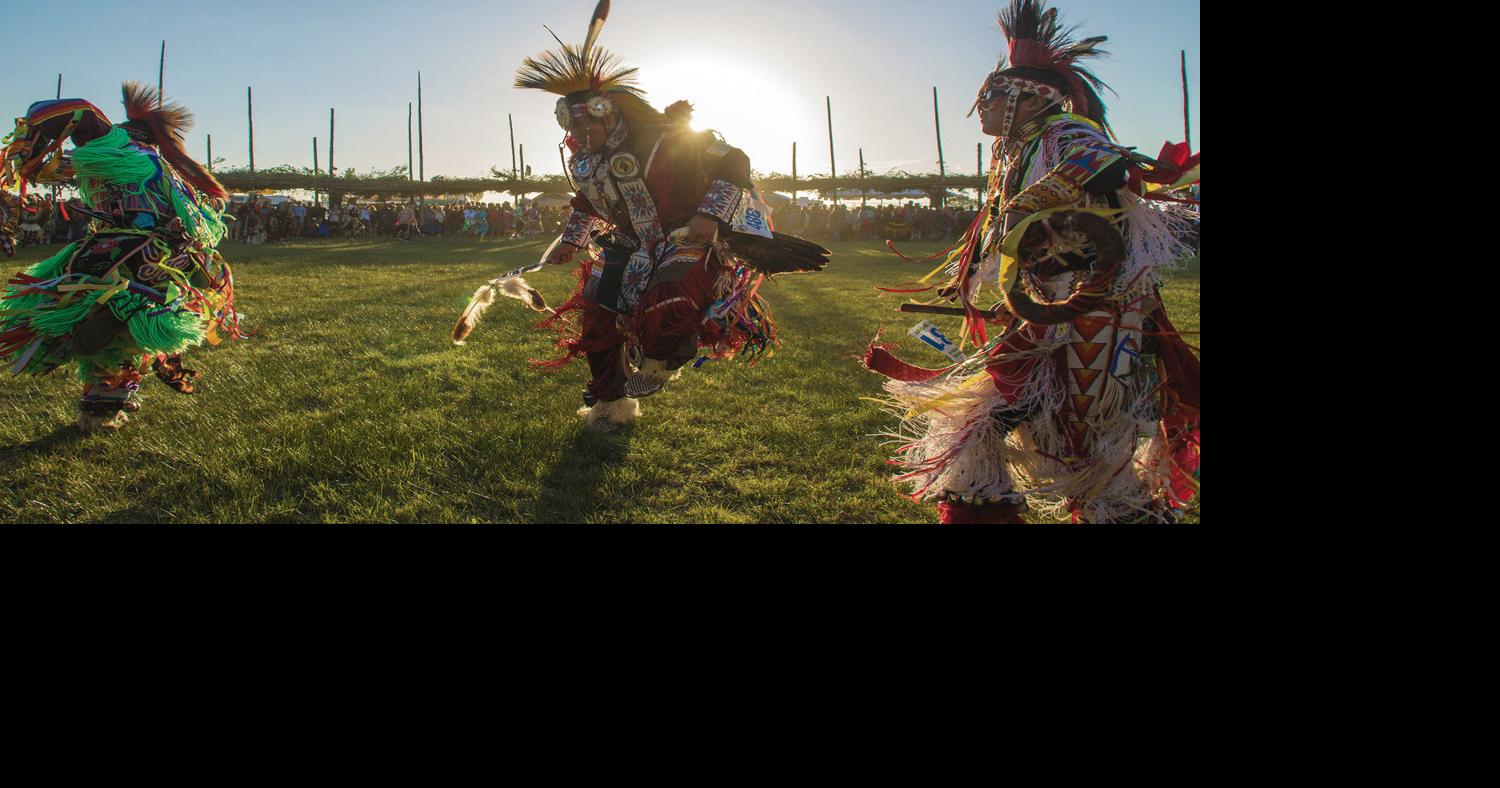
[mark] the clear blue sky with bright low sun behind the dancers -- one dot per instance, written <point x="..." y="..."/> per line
<point x="757" y="71"/>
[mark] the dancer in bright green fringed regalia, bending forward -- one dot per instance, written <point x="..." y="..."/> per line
<point x="146" y="283"/>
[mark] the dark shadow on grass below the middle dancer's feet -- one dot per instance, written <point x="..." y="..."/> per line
<point x="571" y="489"/>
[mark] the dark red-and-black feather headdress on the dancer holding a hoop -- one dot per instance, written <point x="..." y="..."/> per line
<point x="1045" y="61"/>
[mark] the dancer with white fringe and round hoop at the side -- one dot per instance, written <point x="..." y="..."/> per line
<point x="1081" y="402"/>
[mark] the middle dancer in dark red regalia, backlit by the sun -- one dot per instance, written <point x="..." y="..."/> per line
<point x="670" y="236"/>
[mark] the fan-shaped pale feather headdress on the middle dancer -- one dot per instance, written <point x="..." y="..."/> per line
<point x="592" y="80"/>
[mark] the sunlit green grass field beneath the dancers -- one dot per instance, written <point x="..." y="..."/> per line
<point x="350" y="405"/>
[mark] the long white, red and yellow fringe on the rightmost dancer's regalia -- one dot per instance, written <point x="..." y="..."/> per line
<point x="1009" y="421"/>
